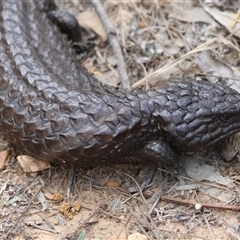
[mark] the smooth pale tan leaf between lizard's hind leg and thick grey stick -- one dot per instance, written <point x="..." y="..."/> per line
<point x="90" y="20"/>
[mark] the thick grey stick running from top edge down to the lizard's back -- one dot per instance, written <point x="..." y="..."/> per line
<point x="112" y="36"/>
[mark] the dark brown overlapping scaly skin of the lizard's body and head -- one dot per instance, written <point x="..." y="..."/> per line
<point x="52" y="109"/>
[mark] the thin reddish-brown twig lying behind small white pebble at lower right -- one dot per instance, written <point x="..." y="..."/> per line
<point x="208" y="205"/>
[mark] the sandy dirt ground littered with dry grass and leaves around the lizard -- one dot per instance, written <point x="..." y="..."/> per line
<point x="161" y="40"/>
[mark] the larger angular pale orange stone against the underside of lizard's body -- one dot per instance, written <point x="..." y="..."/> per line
<point x="32" y="165"/>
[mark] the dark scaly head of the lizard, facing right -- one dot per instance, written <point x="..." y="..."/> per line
<point x="197" y="115"/>
